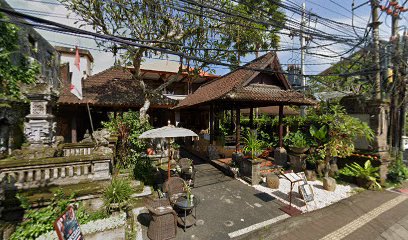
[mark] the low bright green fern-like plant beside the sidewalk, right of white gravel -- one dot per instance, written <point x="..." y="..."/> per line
<point x="366" y="176"/>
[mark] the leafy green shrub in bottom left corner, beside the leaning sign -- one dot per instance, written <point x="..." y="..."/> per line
<point x="39" y="221"/>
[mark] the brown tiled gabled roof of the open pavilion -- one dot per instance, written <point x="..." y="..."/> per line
<point x="236" y="86"/>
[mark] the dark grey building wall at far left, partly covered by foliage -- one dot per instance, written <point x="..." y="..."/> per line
<point x="12" y="113"/>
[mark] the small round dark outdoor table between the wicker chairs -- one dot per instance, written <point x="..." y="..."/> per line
<point x="187" y="206"/>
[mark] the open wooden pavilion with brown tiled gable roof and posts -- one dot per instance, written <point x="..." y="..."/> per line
<point x="259" y="83"/>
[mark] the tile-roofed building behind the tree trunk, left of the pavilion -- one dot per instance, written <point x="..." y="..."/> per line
<point x="114" y="90"/>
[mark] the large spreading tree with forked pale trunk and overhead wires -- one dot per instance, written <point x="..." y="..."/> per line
<point x="195" y="27"/>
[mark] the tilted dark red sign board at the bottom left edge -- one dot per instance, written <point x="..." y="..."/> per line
<point x="67" y="226"/>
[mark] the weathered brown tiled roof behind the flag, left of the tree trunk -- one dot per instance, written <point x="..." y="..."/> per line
<point x="111" y="87"/>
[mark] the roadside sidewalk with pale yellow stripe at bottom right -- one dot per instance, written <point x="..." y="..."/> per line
<point x="368" y="215"/>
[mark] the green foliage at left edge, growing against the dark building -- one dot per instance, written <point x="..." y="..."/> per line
<point x="15" y="68"/>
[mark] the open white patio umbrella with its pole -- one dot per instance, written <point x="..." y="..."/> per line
<point x="168" y="132"/>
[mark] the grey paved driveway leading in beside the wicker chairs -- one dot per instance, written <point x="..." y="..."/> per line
<point x="228" y="206"/>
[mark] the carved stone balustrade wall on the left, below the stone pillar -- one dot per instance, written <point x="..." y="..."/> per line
<point x="26" y="174"/>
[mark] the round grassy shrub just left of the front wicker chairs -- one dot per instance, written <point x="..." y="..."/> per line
<point x="118" y="192"/>
